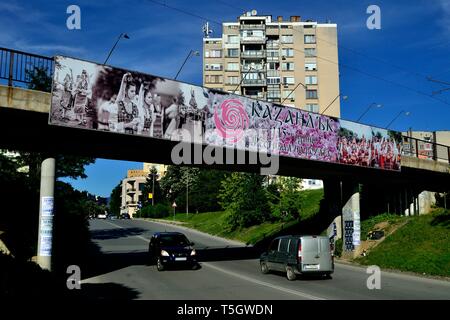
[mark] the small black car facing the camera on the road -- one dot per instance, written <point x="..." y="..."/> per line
<point x="172" y="249"/>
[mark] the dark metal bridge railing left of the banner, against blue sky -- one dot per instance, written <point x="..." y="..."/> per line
<point x="17" y="66"/>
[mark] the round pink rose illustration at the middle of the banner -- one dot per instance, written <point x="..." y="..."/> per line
<point x="233" y="120"/>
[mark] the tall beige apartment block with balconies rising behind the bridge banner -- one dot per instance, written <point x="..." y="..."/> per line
<point x="291" y="62"/>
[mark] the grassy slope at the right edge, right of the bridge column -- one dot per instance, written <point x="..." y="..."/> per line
<point x="422" y="245"/>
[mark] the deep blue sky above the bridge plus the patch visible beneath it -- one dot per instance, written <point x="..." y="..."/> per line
<point x="413" y="43"/>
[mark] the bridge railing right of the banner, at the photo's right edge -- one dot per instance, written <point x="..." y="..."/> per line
<point x="424" y="149"/>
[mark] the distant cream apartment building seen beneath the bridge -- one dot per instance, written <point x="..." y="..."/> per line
<point x="133" y="185"/>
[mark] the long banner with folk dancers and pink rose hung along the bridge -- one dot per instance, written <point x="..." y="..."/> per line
<point x="98" y="97"/>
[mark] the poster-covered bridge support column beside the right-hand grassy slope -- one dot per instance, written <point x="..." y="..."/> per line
<point x="351" y="219"/>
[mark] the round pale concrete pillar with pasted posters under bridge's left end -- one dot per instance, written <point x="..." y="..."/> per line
<point x="45" y="232"/>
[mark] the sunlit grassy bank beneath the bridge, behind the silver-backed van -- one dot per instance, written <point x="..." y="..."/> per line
<point x="215" y="222"/>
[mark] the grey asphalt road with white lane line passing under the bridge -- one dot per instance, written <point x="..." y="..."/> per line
<point x="229" y="271"/>
